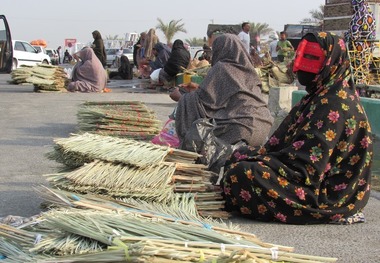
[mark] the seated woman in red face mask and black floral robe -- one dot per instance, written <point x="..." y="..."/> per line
<point x="315" y="168"/>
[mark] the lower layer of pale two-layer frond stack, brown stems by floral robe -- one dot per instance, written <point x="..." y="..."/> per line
<point x="157" y="183"/>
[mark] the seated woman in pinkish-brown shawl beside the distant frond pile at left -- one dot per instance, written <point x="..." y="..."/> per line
<point x="88" y="74"/>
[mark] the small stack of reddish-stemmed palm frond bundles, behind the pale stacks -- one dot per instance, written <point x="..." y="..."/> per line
<point x="130" y="119"/>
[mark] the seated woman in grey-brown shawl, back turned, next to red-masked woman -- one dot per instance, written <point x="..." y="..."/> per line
<point x="230" y="94"/>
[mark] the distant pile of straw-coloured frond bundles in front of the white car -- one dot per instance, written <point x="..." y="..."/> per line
<point x="45" y="78"/>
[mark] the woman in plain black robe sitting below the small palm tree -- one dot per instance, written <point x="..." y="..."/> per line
<point x="178" y="60"/>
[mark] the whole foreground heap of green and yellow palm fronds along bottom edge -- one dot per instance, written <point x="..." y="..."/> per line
<point x="101" y="236"/>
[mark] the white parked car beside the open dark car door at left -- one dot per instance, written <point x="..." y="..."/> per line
<point x="25" y="54"/>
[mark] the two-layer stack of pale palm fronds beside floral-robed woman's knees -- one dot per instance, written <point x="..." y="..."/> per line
<point x="123" y="168"/>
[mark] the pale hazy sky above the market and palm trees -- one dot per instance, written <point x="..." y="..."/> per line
<point x="55" y="21"/>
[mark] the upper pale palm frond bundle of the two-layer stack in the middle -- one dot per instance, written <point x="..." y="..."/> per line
<point x="79" y="149"/>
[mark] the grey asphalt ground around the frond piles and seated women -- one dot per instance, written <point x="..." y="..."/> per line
<point x="30" y="121"/>
